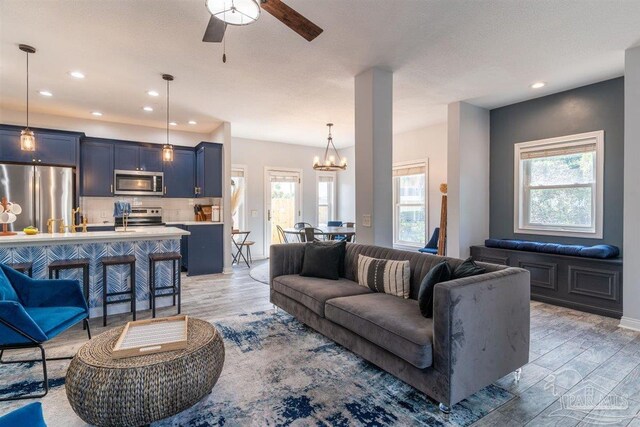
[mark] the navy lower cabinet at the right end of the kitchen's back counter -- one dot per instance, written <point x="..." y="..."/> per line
<point x="203" y="250"/>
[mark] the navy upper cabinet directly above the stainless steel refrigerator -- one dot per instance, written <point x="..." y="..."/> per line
<point x="52" y="148"/>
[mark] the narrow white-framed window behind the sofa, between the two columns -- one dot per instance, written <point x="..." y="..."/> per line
<point x="409" y="197"/>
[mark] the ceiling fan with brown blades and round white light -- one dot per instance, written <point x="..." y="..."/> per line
<point x="245" y="12"/>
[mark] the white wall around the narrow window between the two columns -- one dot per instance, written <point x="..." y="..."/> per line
<point x="428" y="143"/>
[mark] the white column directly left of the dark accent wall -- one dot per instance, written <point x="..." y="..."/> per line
<point x="467" y="178"/>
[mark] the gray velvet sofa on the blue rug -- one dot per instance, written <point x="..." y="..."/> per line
<point x="478" y="334"/>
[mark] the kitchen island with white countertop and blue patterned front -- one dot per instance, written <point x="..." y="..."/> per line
<point x="41" y="249"/>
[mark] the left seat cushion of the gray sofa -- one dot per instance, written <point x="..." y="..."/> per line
<point x="313" y="292"/>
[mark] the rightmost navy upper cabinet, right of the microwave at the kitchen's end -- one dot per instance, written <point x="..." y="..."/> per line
<point x="209" y="169"/>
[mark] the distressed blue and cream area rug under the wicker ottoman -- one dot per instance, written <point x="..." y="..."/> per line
<point x="279" y="372"/>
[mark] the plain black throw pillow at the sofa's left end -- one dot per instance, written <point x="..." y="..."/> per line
<point x="322" y="260"/>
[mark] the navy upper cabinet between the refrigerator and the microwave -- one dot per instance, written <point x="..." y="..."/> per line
<point x="96" y="168"/>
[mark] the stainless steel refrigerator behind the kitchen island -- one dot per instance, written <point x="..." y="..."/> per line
<point x="43" y="192"/>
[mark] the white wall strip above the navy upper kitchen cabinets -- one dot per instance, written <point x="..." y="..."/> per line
<point x="103" y="129"/>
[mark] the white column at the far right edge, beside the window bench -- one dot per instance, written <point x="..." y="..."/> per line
<point x="631" y="225"/>
